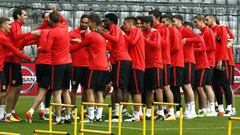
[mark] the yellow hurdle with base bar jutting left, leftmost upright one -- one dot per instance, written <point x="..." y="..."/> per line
<point x="50" y="131"/>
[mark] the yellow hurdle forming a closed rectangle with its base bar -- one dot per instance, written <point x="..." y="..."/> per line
<point x="82" y="130"/>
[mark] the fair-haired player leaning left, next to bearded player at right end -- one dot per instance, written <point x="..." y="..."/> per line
<point x="209" y="40"/>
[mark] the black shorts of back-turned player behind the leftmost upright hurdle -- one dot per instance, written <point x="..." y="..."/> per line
<point x="61" y="75"/>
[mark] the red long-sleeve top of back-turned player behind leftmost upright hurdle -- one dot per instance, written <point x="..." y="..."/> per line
<point x="58" y="43"/>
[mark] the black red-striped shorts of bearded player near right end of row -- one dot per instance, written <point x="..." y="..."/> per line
<point x="221" y="77"/>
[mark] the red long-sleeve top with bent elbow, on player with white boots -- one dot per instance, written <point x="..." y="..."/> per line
<point x="188" y="48"/>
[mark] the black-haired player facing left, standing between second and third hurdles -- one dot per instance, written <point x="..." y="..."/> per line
<point x="115" y="37"/>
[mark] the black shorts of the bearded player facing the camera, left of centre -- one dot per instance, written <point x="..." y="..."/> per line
<point x="79" y="76"/>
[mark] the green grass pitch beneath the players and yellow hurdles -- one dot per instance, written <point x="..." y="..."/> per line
<point x="198" y="126"/>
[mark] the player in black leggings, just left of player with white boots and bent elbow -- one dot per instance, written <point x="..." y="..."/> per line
<point x="177" y="60"/>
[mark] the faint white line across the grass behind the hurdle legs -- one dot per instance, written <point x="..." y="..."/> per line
<point x="165" y="129"/>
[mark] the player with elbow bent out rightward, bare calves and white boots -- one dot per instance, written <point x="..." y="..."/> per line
<point x="188" y="38"/>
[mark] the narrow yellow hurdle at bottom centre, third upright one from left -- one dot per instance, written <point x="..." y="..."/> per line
<point x="120" y="116"/>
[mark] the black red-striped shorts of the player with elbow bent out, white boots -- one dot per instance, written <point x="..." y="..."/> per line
<point x="189" y="73"/>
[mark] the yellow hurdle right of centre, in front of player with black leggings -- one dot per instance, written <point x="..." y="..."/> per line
<point x="168" y="104"/>
